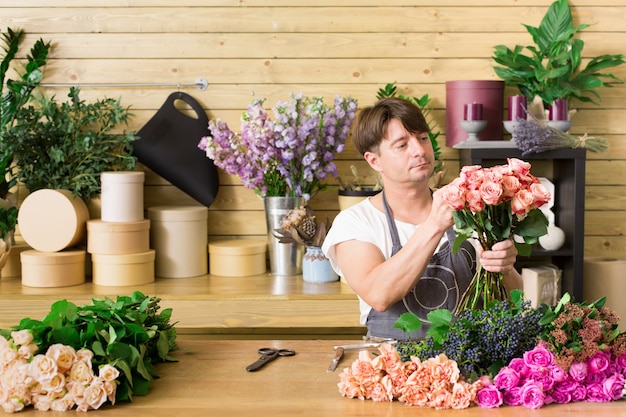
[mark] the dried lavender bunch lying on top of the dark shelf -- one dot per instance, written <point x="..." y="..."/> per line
<point x="531" y="136"/>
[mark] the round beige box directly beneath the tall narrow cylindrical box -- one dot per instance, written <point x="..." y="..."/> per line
<point x="118" y="238"/>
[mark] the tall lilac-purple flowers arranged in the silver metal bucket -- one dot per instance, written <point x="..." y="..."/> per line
<point x="291" y="155"/>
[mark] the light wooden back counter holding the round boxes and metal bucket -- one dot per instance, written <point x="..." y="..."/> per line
<point x="257" y="306"/>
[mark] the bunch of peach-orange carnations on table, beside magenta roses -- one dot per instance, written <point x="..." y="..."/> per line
<point x="434" y="383"/>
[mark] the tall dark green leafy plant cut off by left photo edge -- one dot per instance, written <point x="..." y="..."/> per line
<point x="14" y="94"/>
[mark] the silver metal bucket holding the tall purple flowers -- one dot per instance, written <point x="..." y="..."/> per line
<point x="285" y="258"/>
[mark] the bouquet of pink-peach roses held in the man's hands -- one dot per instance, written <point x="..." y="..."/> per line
<point x="493" y="204"/>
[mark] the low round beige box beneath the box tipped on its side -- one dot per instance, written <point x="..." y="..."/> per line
<point x="53" y="269"/>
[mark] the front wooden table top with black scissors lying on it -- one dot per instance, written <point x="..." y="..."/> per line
<point x="210" y="380"/>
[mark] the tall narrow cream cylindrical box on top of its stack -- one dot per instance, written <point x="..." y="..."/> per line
<point x="122" y="196"/>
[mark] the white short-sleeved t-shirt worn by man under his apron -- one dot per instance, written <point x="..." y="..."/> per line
<point x="365" y="223"/>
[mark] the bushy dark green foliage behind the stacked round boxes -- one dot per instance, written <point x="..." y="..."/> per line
<point x="68" y="145"/>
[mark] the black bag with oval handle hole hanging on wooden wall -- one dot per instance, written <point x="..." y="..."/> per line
<point x="168" y="145"/>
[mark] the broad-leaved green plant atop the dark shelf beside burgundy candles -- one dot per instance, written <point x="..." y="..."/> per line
<point x="550" y="68"/>
